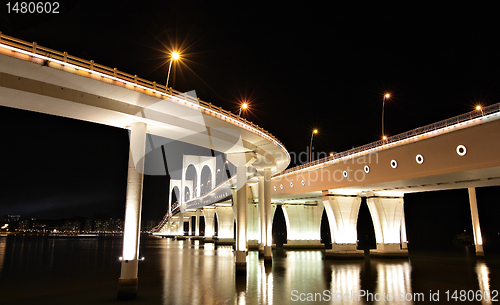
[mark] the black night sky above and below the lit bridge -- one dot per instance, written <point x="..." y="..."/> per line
<point x="300" y="66"/>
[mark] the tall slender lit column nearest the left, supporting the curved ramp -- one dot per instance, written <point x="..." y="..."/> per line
<point x="128" y="282"/>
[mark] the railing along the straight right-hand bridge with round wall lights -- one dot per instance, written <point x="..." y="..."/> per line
<point x="402" y="136"/>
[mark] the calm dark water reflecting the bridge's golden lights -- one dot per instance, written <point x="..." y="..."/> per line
<point x="38" y="270"/>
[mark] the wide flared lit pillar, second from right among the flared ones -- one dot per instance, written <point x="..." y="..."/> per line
<point x="342" y="212"/>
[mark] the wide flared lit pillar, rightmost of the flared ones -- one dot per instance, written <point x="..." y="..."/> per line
<point x="386" y="216"/>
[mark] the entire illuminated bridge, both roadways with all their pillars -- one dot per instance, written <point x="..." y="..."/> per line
<point x="461" y="152"/>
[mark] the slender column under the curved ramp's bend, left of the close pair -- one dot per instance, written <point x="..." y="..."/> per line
<point x="241" y="220"/>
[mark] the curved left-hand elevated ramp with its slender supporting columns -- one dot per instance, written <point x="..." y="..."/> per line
<point x="40" y="79"/>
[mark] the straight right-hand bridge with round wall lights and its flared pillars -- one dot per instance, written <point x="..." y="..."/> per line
<point x="461" y="152"/>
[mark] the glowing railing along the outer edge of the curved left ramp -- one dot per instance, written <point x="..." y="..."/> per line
<point x="117" y="75"/>
